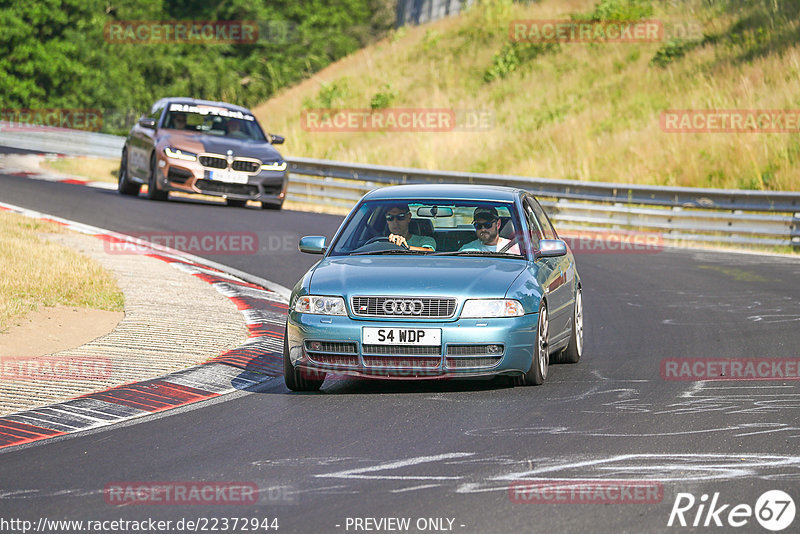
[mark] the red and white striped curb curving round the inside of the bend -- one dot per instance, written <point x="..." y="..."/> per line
<point x="264" y="306"/>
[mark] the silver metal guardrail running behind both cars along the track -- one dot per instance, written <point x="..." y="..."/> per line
<point x="680" y="213"/>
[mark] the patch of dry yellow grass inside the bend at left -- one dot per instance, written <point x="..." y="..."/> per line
<point x="38" y="272"/>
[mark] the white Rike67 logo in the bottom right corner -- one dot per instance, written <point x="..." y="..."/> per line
<point x="774" y="510"/>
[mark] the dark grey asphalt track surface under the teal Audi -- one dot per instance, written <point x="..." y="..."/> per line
<point x="419" y="450"/>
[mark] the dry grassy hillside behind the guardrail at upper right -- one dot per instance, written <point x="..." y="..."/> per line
<point x="574" y="111"/>
